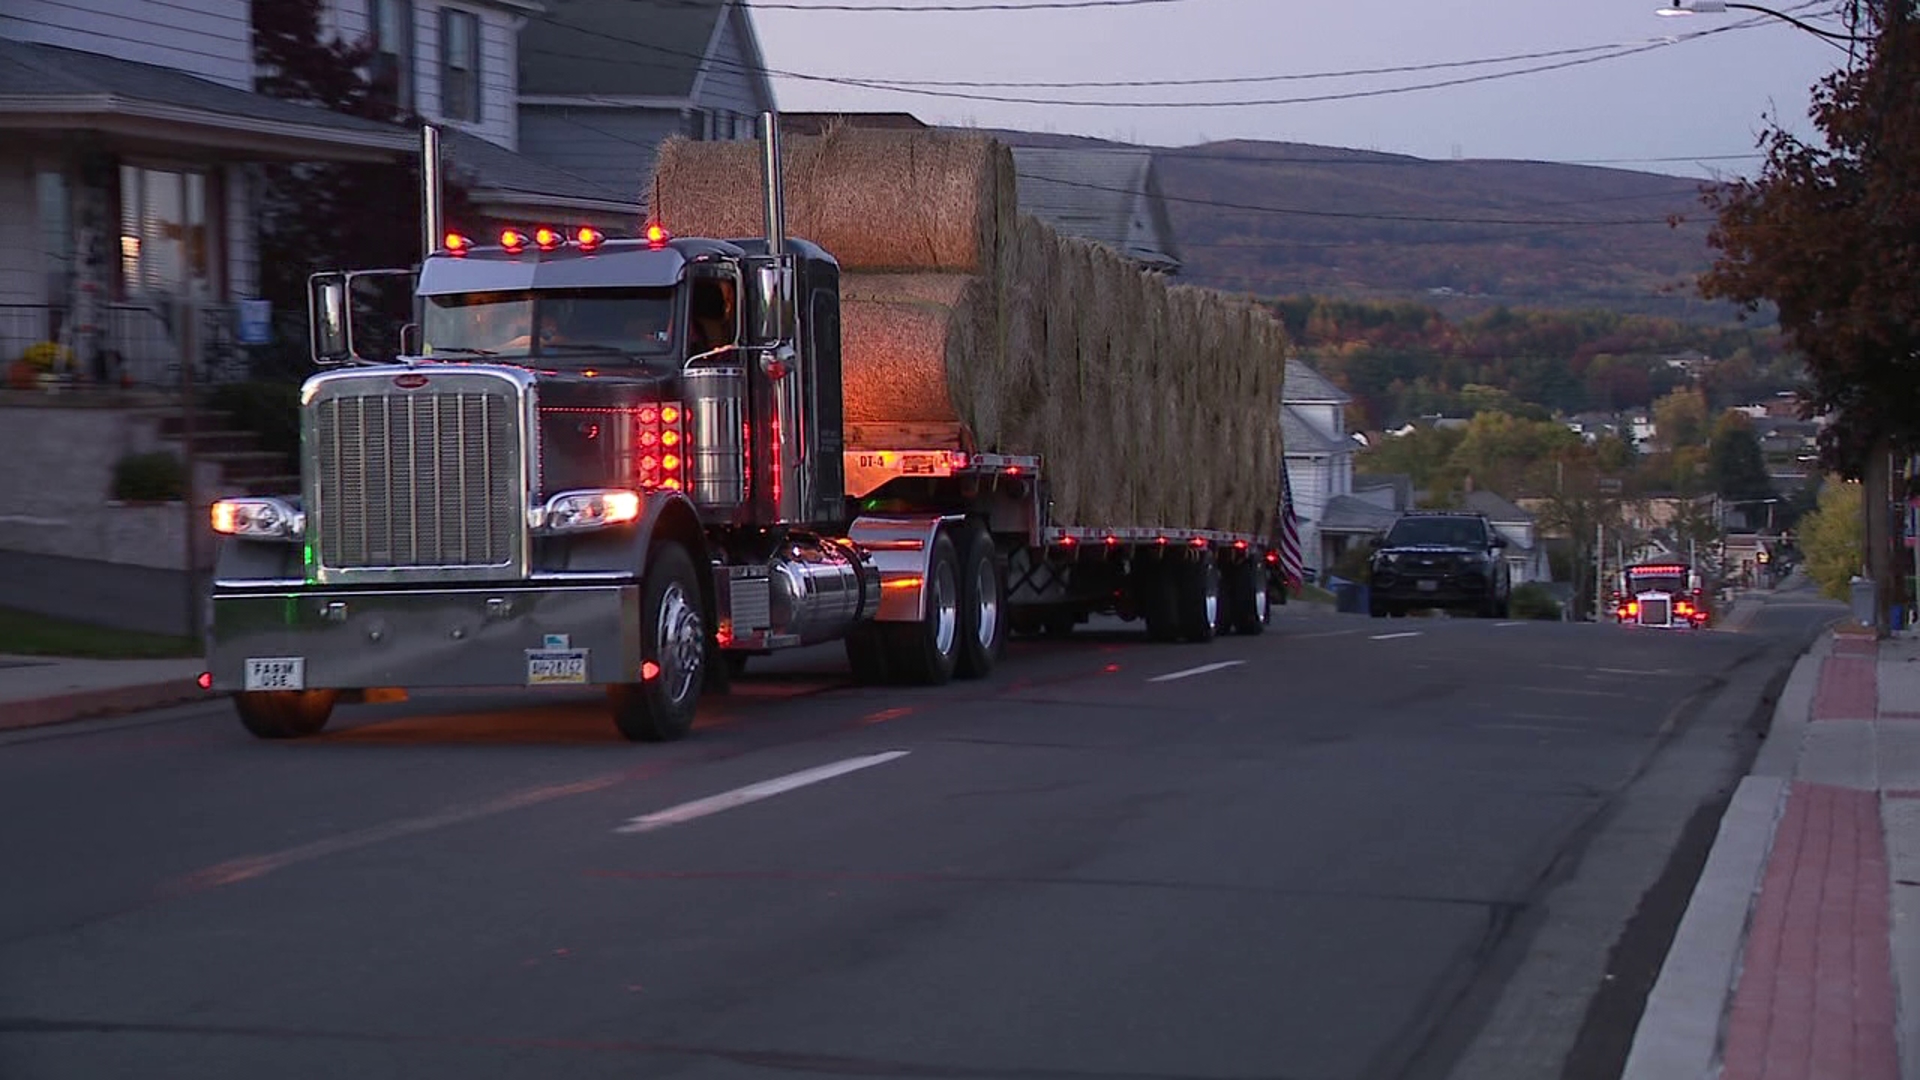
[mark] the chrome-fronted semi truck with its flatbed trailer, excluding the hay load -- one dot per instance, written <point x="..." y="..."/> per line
<point x="623" y="464"/>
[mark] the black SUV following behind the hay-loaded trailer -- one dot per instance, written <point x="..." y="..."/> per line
<point x="1441" y="560"/>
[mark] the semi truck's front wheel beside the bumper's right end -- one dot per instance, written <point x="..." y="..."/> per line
<point x="673" y="647"/>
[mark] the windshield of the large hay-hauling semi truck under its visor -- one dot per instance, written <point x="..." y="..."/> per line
<point x="562" y="328"/>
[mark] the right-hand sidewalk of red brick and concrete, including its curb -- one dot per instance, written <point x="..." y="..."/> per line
<point x="1804" y="933"/>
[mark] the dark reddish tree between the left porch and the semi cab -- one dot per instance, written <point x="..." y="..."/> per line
<point x="329" y="216"/>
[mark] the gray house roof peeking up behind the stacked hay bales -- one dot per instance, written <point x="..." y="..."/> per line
<point x="1111" y="197"/>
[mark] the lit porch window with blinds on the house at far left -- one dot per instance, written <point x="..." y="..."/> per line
<point x="166" y="245"/>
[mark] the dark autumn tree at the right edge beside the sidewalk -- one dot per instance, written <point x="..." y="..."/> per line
<point x="1827" y="235"/>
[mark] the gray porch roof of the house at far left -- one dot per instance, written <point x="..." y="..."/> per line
<point x="93" y="84"/>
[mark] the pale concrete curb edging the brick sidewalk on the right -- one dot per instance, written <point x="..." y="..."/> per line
<point x="1679" y="1035"/>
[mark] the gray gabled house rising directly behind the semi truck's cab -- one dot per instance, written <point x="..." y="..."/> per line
<point x="606" y="82"/>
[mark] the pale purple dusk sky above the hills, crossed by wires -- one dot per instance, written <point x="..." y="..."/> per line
<point x="1696" y="99"/>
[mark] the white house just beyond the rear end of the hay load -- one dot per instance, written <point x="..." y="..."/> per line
<point x="1320" y="464"/>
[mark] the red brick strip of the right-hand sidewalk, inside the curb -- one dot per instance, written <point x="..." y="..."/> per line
<point x="1817" y="991"/>
